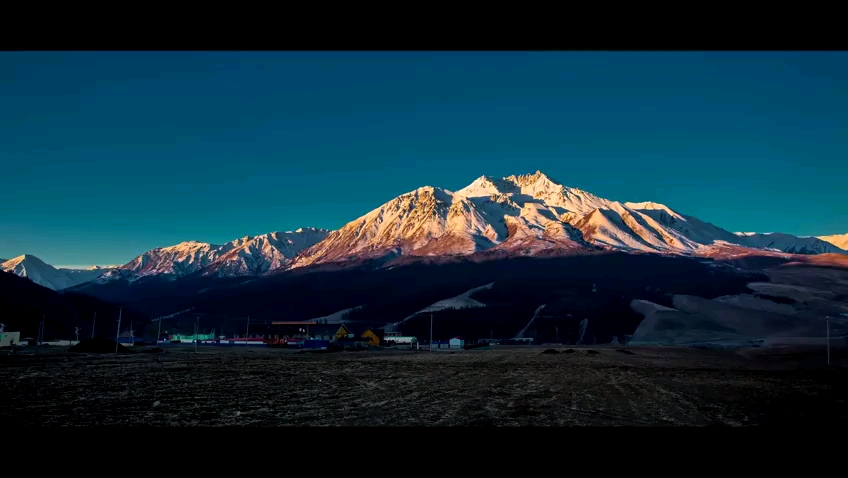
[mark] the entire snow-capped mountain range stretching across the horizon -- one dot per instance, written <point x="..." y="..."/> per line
<point x="525" y="215"/>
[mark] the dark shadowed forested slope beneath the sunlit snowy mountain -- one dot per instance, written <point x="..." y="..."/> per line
<point x="387" y="295"/>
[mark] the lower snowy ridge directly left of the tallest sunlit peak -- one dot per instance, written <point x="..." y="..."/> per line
<point x="244" y="256"/>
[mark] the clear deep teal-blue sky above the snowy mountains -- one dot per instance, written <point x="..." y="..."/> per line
<point x="108" y="154"/>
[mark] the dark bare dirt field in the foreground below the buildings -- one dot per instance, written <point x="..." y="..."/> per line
<point x="501" y="386"/>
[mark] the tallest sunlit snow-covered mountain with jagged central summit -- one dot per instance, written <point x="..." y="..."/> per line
<point x="526" y="213"/>
